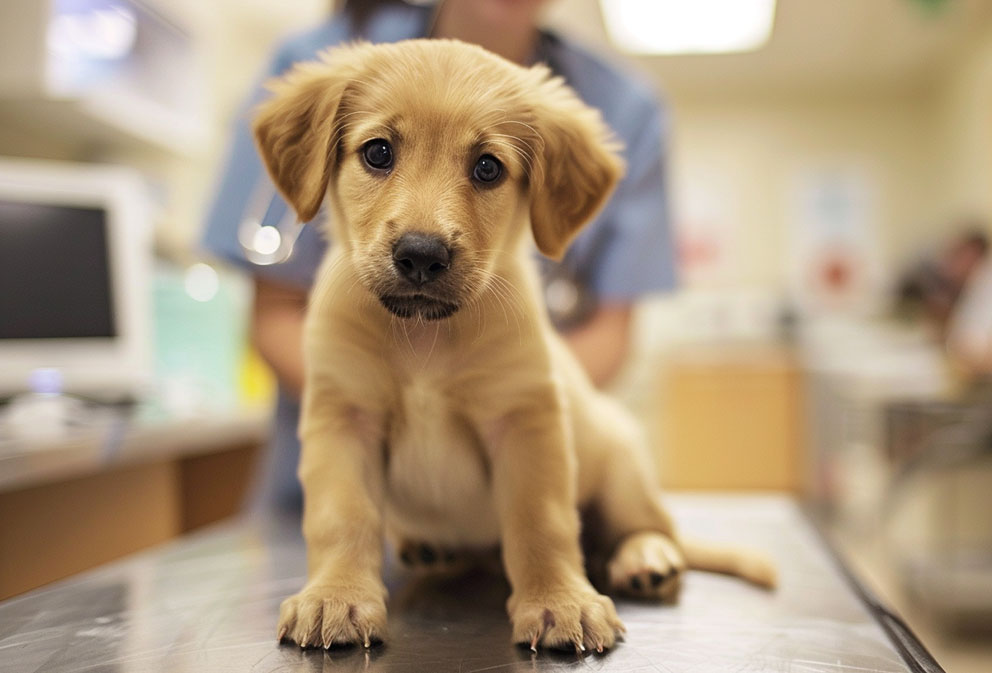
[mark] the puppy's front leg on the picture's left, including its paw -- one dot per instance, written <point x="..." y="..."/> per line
<point x="341" y="470"/>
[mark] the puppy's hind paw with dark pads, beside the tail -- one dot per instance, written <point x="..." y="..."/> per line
<point x="647" y="565"/>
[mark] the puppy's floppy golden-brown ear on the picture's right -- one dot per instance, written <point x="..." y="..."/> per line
<point x="577" y="169"/>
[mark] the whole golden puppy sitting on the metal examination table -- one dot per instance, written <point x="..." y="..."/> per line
<point x="440" y="407"/>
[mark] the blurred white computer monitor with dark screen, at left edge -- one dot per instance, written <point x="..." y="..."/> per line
<point x="75" y="260"/>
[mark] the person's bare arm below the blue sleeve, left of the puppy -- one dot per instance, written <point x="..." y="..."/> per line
<point x="277" y="330"/>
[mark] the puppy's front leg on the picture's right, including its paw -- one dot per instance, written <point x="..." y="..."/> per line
<point x="534" y="473"/>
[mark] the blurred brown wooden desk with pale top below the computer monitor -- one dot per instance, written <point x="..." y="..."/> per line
<point x="66" y="509"/>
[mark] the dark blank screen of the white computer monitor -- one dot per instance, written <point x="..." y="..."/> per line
<point x="54" y="272"/>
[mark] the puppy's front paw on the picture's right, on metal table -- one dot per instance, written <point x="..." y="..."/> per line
<point x="565" y="619"/>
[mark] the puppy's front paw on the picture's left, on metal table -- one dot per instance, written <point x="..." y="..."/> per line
<point x="325" y="615"/>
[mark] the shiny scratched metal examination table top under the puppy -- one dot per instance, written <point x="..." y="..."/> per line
<point x="209" y="603"/>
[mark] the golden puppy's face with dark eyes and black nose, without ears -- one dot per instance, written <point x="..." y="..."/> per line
<point x="430" y="185"/>
